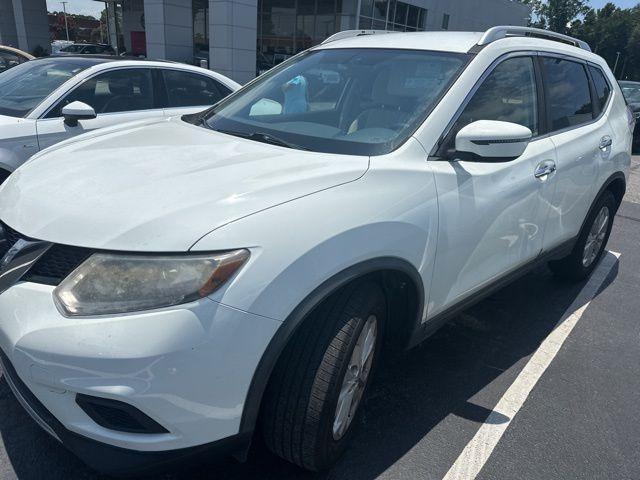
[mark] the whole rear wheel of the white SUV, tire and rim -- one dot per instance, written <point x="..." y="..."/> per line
<point x="591" y="241"/>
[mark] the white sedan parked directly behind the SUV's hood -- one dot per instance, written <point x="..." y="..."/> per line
<point x="49" y="100"/>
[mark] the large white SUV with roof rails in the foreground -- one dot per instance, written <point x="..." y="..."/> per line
<point x="172" y="285"/>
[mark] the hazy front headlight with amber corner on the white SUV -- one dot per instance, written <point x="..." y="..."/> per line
<point x="113" y="283"/>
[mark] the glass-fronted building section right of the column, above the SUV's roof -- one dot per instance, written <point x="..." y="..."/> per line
<point x="286" y="27"/>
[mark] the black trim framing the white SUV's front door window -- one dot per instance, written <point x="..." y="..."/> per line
<point x="436" y="153"/>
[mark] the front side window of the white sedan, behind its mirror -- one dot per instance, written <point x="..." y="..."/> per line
<point x="115" y="91"/>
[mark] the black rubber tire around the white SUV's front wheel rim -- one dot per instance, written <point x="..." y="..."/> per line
<point x="302" y="396"/>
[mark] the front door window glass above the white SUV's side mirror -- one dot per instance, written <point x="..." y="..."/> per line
<point x="508" y="94"/>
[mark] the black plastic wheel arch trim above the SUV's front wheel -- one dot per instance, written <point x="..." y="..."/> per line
<point x="399" y="279"/>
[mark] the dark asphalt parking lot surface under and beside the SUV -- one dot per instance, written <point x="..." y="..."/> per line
<point x="579" y="419"/>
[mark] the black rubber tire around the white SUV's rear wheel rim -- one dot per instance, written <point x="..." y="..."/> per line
<point x="572" y="266"/>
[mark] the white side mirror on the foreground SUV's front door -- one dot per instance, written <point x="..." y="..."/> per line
<point x="493" y="141"/>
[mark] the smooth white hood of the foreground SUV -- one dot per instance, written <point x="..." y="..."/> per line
<point x="159" y="186"/>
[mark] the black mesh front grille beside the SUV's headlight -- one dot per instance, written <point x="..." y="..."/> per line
<point x="54" y="266"/>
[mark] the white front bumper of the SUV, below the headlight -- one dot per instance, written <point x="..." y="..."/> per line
<point x="188" y="368"/>
